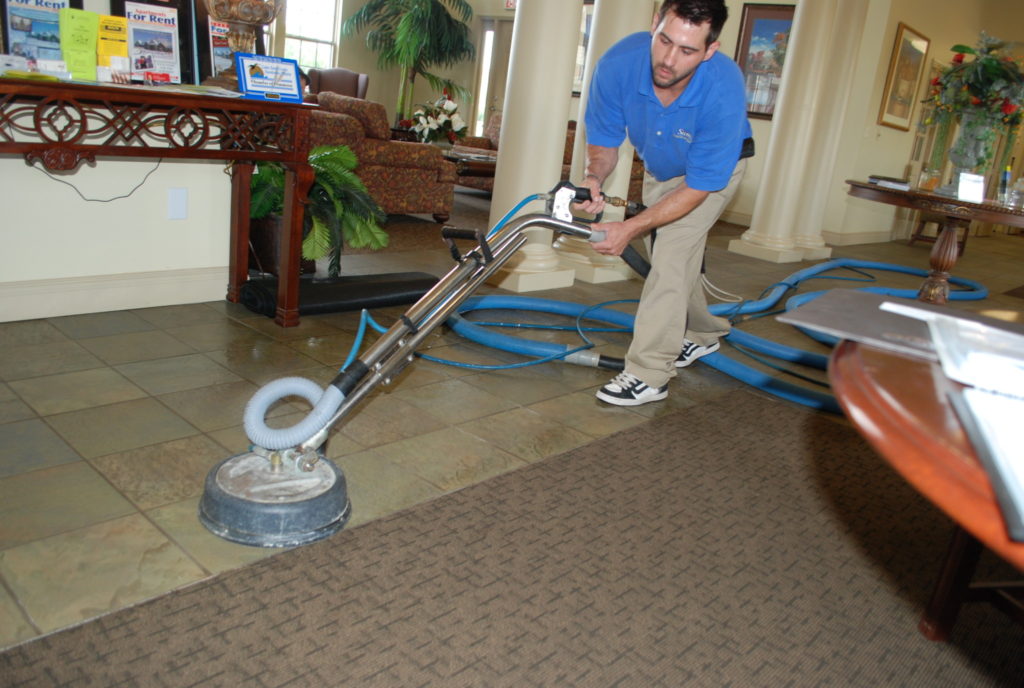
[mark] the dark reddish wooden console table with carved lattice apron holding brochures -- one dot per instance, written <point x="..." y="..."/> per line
<point x="62" y="124"/>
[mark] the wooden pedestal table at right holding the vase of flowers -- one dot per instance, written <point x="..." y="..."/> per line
<point x="957" y="214"/>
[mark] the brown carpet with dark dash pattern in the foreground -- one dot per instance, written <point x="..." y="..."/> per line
<point x="744" y="543"/>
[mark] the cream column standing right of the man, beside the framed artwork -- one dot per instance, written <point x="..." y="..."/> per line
<point x="807" y="128"/>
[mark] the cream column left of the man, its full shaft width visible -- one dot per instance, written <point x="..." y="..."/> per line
<point x="537" y="108"/>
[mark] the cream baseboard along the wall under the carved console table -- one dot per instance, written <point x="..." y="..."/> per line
<point x="72" y="296"/>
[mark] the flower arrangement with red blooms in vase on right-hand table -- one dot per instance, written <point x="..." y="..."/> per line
<point x="992" y="85"/>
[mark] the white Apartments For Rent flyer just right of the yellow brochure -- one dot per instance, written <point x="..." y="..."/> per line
<point x="153" y="41"/>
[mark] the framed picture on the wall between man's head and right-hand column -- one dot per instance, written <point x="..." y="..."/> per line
<point x="764" y="37"/>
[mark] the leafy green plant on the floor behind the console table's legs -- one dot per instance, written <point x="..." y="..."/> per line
<point x="339" y="211"/>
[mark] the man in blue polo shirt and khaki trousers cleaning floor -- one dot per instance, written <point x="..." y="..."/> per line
<point x="682" y="105"/>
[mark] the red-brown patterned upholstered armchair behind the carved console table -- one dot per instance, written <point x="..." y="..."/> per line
<point x="403" y="178"/>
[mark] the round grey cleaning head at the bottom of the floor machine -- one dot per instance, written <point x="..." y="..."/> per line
<point x="247" y="500"/>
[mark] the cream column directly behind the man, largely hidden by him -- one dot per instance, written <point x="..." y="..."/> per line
<point x="613" y="20"/>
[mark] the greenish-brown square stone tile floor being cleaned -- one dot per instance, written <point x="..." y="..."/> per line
<point x="110" y="422"/>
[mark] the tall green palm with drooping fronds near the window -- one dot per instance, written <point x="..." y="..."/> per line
<point x="416" y="36"/>
